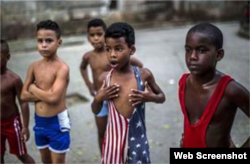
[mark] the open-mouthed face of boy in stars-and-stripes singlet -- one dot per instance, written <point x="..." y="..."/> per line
<point x="118" y="51"/>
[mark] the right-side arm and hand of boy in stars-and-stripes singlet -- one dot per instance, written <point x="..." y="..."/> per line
<point x="152" y="93"/>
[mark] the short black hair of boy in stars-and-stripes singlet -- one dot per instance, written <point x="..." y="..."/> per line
<point x="121" y="29"/>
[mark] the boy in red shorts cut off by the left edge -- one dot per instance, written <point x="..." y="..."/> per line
<point x="11" y="127"/>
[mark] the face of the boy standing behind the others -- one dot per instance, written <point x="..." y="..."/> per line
<point x="96" y="37"/>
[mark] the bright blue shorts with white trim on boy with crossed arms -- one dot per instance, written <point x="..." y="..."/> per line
<point x="53" y="132"/>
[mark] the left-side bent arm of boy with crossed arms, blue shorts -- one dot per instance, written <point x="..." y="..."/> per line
<point x="25" y="94"/>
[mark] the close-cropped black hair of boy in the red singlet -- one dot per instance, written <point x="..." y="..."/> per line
<point x="213" y="32"/>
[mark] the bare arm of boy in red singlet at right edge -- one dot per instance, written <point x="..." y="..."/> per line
<point x="240" y="97"/>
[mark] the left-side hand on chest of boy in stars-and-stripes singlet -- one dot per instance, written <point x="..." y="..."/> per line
<point x="107" y="93"/>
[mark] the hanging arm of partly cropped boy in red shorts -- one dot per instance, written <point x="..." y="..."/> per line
<point x="25" y="112"/>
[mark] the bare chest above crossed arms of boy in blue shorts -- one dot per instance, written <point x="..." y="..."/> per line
<point x="45" y="76"/>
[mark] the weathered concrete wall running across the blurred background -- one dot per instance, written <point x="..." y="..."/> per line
<point x="19" y="17"/>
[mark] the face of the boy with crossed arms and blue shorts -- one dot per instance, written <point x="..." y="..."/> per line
<point x="47" y="42"/>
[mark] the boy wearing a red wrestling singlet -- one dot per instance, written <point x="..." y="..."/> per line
<point x="209" y="99"/>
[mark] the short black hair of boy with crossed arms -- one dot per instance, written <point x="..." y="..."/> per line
<point x="49" y="25"/>
